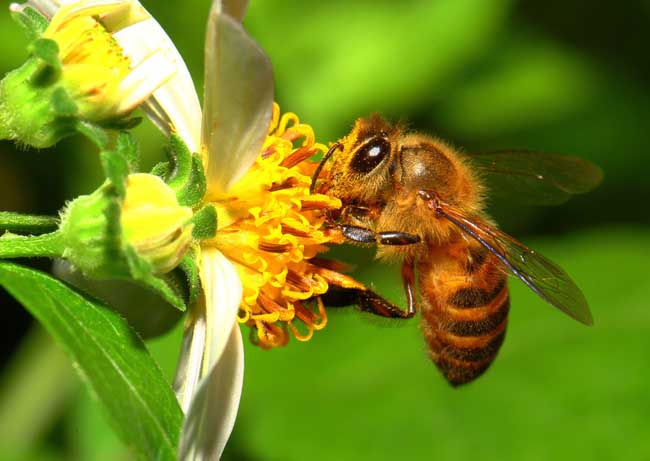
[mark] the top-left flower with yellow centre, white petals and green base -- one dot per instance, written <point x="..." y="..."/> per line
<point x="107" y="58"/>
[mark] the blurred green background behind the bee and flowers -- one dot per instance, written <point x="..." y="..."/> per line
<point x="562" y="76"/>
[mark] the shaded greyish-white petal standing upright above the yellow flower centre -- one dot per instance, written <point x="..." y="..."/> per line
<point x="238" y="99"/>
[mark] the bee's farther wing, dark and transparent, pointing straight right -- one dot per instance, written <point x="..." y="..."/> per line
<point x="535" y="178"/>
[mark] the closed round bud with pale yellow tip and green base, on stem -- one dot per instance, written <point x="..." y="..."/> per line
<point x="103" y="233"/>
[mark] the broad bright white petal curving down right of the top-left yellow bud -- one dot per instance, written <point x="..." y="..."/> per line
<point x="175" y="105"/>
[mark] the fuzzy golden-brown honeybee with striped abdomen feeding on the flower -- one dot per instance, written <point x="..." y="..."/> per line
<point x="423" y="203"/>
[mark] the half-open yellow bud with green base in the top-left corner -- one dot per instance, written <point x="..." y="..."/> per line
<point x="78" y="71"/>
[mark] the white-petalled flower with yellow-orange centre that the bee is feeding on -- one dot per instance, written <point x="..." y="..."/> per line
<point x="261" y="267"/>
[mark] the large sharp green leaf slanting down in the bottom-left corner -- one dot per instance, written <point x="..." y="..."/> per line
<point x="110" y="357"/>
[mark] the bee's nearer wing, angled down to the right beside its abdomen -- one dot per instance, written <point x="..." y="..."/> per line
<point x="542" y="276"/>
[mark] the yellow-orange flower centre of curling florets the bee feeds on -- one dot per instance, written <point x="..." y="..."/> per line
<point x="273" y="229"/>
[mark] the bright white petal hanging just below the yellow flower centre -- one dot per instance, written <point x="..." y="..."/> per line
<point x="209" y="324"/>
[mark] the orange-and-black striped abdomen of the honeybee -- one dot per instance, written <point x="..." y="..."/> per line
<point x="464" y="309"/>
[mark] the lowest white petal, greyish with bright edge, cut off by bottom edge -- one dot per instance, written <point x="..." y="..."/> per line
<point x="211" y="418"/>
